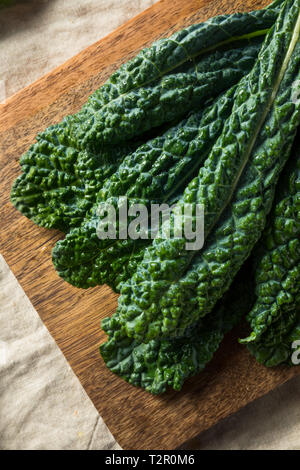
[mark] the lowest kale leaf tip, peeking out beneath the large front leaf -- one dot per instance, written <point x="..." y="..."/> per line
<point x="161" y="363"/>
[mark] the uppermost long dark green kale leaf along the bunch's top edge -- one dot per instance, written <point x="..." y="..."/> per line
<point x="163" y="82"/>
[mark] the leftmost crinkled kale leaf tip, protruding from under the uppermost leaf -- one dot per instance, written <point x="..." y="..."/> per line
<point x="59" y="183"/>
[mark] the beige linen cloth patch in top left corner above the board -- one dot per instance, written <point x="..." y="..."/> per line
<point x="38" y="35"/>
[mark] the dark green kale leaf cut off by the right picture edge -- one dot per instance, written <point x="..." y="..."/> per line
<point x="275" y="316"/>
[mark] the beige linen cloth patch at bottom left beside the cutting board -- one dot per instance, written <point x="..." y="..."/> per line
<point x="42" y="404"/>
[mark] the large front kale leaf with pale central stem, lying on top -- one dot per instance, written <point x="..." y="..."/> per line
<point x="173" y="287"/>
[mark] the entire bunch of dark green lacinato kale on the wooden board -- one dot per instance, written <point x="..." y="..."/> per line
<point x="208" y="116"/>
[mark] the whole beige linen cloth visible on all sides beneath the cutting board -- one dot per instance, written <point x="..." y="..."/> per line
<point x="42" y="404"/>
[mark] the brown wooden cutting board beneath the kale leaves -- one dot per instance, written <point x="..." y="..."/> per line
<point x="136" y="419"/>
